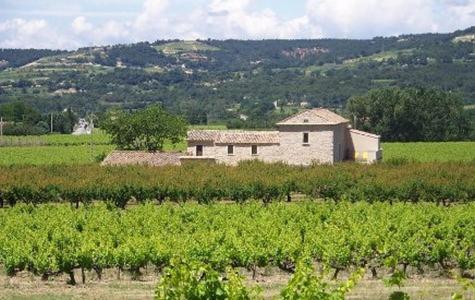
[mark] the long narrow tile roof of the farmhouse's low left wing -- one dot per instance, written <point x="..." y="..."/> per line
<point x="234" y="136"/>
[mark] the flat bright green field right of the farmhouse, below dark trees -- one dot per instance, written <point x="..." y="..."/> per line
<point x="428" y="152"/>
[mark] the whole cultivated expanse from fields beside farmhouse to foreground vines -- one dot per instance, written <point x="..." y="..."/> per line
<point x="329" y="229"/>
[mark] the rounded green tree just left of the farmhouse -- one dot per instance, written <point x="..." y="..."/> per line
<point x="146" y="129"/>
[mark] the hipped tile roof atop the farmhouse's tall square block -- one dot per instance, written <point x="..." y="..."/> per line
<point x="316" y="116"/>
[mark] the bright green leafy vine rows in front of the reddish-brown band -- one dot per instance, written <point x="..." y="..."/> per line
<point x="384" y="240"/>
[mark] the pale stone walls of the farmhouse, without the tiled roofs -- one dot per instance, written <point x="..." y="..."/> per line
<point x="326" y="144"/>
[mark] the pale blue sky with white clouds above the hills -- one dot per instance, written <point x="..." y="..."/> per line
<point x="72" y="24"/>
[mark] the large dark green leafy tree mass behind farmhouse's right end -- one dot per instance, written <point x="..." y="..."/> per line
<point x="411" y="114"/>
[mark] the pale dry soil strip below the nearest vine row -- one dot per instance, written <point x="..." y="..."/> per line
<point x="25" y="285"/>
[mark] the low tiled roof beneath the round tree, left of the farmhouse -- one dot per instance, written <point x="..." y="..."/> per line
<point x="155" y="159"/>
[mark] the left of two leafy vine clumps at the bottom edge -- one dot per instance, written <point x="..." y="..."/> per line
<point x="194" y="280"/>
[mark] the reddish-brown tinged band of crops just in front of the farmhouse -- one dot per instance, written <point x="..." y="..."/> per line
<point x="442" y="183"/>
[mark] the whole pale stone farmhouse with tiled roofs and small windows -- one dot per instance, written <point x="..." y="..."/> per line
<point x="312" y="136"/>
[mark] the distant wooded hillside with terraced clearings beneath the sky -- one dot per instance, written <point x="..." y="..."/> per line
<point x="231" y="80"/>
